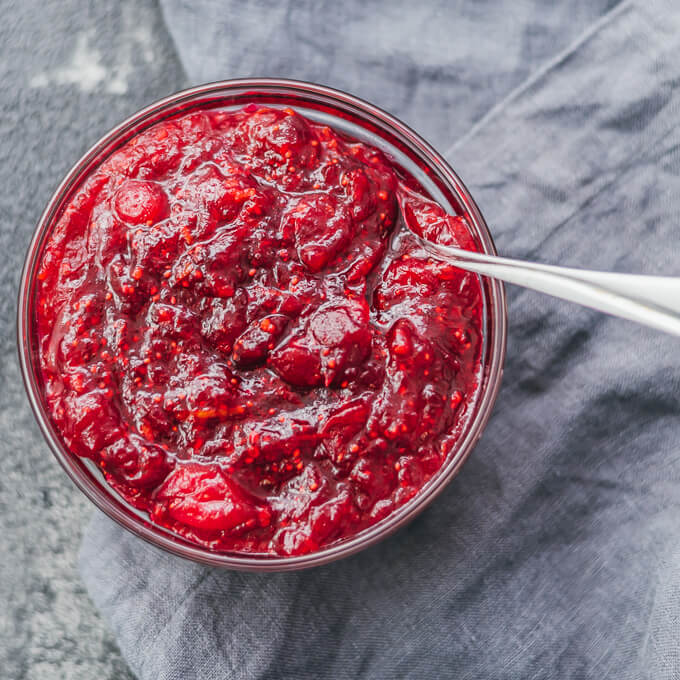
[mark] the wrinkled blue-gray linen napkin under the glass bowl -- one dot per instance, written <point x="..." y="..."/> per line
<point x="555" y="553"/>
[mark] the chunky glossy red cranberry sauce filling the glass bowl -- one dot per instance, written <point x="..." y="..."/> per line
<point x="235" y="324"/>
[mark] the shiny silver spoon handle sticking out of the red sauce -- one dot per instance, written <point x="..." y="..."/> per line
<point x="650" y="300"/>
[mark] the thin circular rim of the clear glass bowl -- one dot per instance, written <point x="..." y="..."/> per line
<point x="495" y="348"/>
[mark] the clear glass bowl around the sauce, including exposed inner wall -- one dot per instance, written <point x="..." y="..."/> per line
<point x="361" y="120"/>
